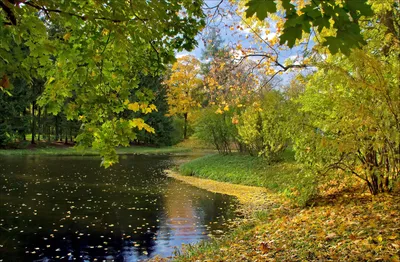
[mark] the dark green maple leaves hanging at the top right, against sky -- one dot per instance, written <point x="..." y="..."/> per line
<point x="319" y="14"/>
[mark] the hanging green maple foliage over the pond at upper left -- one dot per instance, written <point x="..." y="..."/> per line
<point x="91" y="55"/>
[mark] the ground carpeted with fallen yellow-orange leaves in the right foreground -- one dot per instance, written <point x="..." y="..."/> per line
<point x="348" y="228"/>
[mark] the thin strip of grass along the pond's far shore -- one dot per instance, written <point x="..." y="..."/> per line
<point x="71" y="151"/>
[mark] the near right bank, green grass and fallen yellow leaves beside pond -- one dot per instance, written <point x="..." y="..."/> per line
<point x="349" y="225"/>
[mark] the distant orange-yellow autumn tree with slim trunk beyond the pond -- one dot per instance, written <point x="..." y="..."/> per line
<point x="183" y="88"/>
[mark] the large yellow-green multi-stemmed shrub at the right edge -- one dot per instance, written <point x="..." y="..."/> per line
<point x="352" y="110"/>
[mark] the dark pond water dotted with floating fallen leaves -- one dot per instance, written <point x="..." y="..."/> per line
<point x="69" y="208"/>
